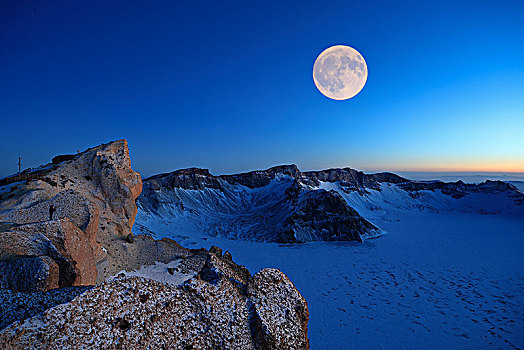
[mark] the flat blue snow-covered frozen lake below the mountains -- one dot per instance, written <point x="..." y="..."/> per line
<point x="436" y="280"/>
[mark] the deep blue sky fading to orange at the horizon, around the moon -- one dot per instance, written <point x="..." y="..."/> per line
<point x="228" y="85"/>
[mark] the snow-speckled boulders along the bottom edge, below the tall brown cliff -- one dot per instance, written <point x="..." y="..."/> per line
<point x="222" y="307"/>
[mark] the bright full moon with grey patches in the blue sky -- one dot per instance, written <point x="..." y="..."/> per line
<point x="340" y="72"/>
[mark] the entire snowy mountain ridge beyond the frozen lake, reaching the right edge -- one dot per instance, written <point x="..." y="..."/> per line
<point x="284" y="205"/>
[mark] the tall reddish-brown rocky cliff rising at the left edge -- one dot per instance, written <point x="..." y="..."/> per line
<point x="69" y="219"/>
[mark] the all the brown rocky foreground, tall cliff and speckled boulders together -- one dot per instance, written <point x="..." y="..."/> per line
<point x="69" y="224"/>
